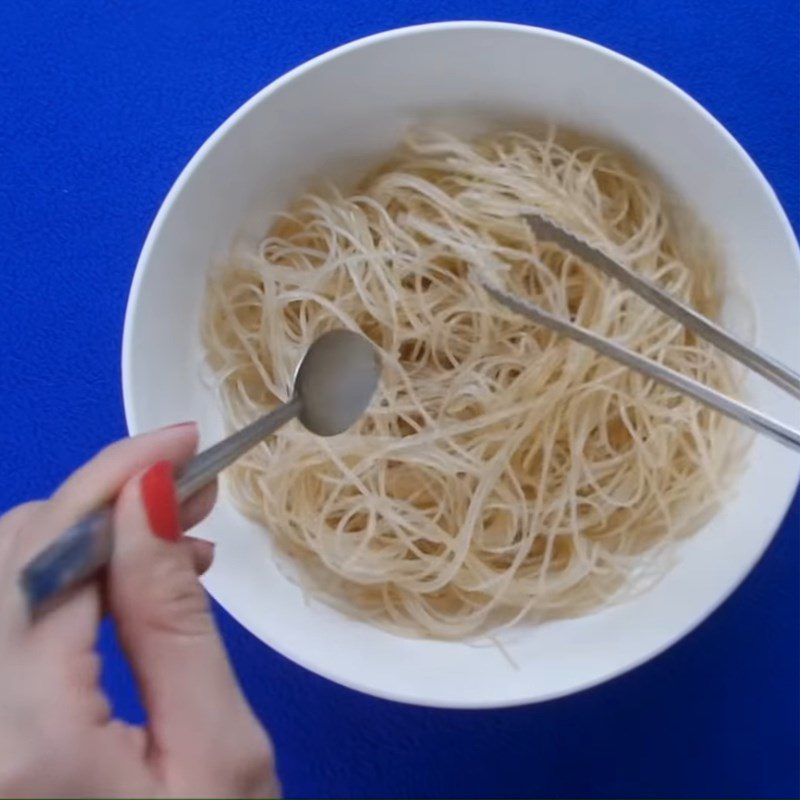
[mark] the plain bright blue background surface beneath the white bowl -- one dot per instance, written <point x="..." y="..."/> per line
<point x="101" y="105"/>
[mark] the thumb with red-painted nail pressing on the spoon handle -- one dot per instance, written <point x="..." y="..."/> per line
<point x="167" y="631"/>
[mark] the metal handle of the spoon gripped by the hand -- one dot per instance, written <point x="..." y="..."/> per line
<point x="85" y="548"/>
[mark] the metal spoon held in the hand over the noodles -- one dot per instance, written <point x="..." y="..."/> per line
<point x="333" y="386"/>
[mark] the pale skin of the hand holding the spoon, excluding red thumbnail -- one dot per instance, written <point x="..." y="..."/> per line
<point x="58" y="736"/>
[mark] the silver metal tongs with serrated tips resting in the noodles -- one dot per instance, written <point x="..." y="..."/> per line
<point x="759" y="362"/>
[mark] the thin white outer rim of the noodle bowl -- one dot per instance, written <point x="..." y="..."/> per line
<point x="130" y="403"/>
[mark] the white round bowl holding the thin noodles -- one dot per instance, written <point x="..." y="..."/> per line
<point x="334" y="117"/>
